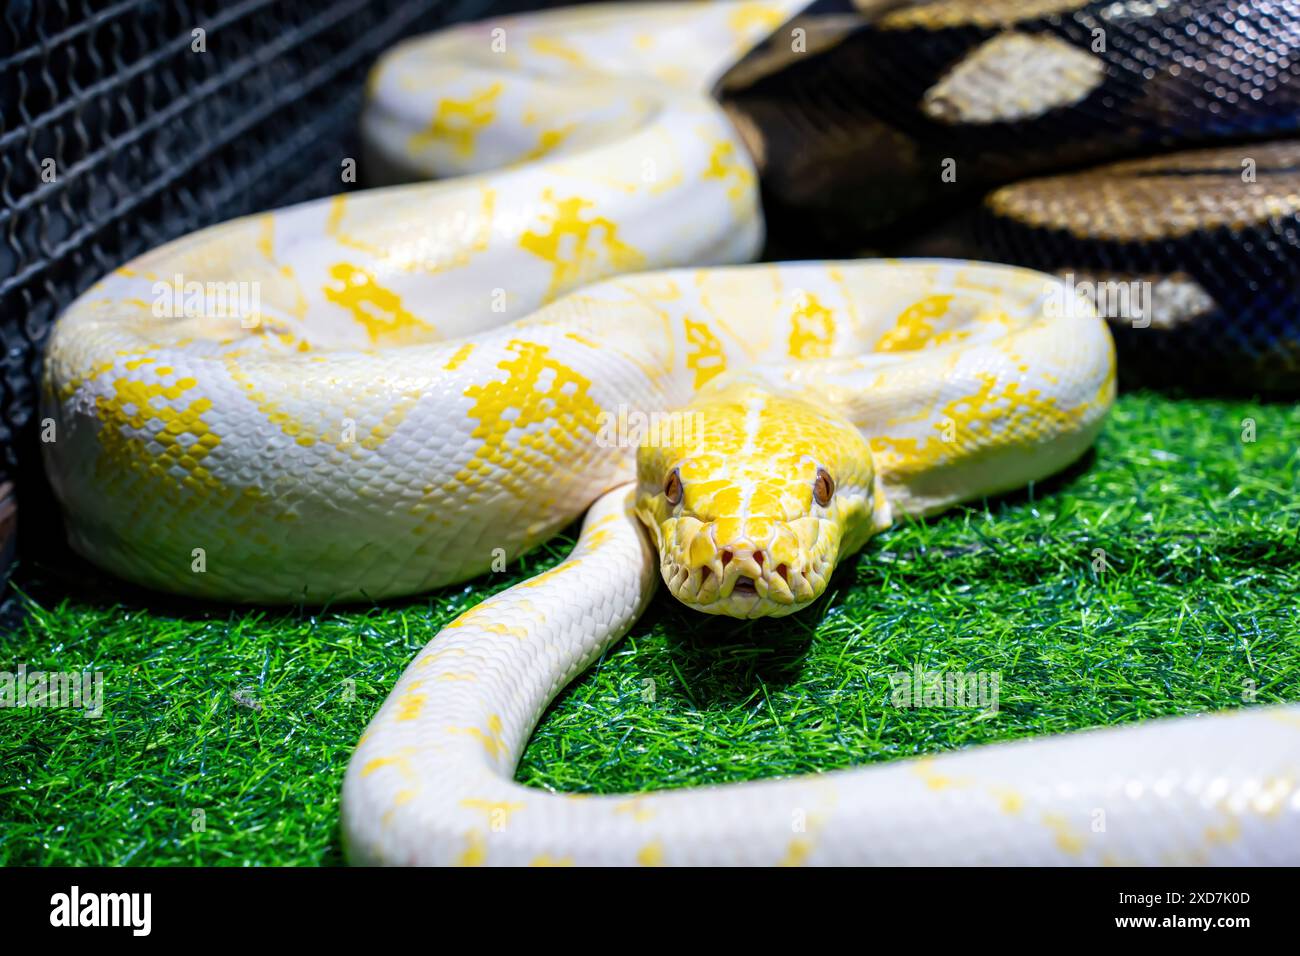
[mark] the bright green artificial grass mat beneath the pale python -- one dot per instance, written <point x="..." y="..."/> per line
<point x="226" y="733"/>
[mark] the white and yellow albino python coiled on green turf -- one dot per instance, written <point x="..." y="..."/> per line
<point x="423" y="380"/>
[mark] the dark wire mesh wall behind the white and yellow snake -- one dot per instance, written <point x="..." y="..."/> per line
<point x="118" y="135"/>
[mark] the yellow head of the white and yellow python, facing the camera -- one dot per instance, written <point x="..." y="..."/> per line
<point x="752" y="499"/>
